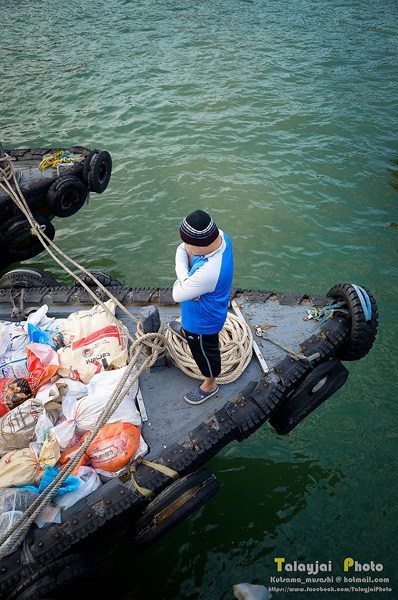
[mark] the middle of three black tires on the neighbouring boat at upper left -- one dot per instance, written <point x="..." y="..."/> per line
<point x="66" y="196"/>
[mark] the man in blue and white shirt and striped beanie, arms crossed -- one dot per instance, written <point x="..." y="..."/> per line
<point x="204" y="267"/>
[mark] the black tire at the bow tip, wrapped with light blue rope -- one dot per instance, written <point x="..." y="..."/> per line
<point x="362" y="333"/>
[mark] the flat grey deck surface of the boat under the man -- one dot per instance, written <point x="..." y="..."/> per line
<point x="170" y="418"/>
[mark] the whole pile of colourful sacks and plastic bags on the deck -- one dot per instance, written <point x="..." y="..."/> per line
<point x="56" y="376"/>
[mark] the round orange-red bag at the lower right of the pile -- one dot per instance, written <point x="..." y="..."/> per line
<point x="114" y="446"/>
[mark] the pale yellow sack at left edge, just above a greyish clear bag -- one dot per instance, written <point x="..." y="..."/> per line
<point x="19" y="467"/>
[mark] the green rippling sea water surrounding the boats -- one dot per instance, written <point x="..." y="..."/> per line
<point x="280" y="118"/>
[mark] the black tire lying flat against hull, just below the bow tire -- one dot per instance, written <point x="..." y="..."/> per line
<point x="321" y="383"/>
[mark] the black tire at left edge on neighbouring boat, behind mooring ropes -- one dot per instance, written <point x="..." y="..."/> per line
<point x="19" y="226"/>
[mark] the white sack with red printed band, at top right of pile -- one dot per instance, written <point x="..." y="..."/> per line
<point x="94" y="343"/>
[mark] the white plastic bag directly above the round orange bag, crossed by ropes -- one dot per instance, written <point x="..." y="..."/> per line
<point x="82" y="415"/>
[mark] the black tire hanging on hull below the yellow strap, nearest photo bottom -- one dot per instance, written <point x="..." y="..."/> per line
<point x="146" y="531"/>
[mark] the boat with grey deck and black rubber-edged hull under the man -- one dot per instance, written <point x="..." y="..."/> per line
<point x="182" y="437"/>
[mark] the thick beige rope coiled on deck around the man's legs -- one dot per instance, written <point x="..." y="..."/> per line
<point x="236" y="350"/>
